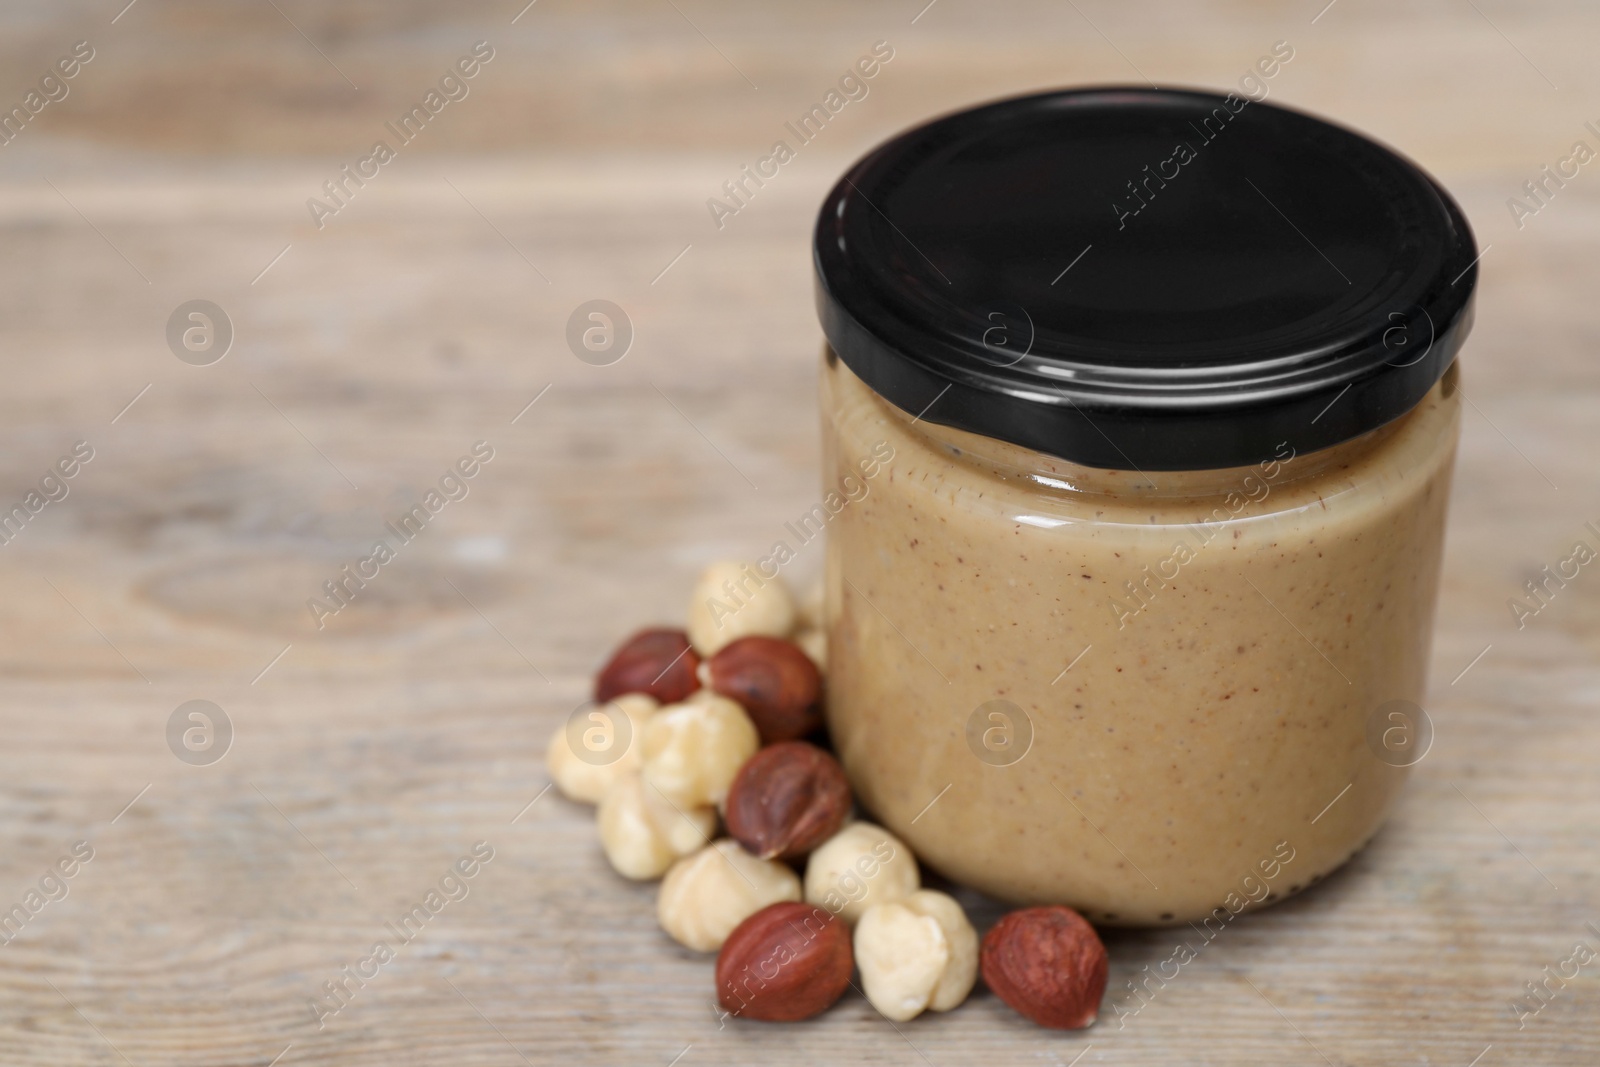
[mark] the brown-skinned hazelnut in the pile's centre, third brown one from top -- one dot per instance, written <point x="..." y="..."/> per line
<point x="786" y="801"/>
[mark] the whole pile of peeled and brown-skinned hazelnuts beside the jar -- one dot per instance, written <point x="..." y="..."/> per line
<point x="721" y="727"/>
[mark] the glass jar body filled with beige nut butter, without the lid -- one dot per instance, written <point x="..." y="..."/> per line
<point x="1143" y="695"/>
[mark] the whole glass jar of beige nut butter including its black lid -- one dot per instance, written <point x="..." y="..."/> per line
<point x="1140" y="417"/>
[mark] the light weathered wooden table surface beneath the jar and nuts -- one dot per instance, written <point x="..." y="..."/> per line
<point x="431" y="311"/>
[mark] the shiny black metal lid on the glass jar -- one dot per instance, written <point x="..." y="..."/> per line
<point x="1145" y="279"/>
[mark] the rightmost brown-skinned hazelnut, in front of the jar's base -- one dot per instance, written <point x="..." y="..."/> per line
<point x="1049" y="965"/>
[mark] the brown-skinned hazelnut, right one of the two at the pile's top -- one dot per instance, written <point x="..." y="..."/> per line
<point x="774" y="681"/>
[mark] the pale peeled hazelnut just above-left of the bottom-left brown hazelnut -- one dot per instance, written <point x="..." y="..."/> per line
<point x="710" y="893"/>
